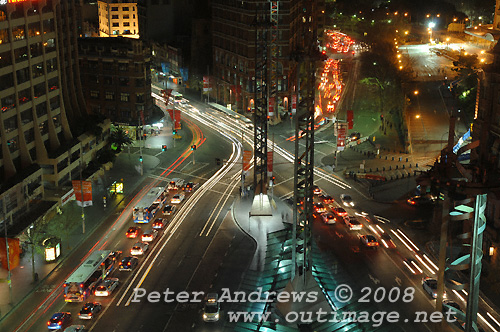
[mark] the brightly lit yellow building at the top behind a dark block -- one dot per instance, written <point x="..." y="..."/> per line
<point x="118" y="18"/>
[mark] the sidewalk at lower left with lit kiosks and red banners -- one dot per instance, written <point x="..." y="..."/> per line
<point x="22" y="276"/>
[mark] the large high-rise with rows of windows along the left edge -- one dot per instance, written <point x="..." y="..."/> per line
<point x="40" y="99"/>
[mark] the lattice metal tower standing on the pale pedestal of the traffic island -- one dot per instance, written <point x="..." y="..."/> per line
<point x="261" y="25"/>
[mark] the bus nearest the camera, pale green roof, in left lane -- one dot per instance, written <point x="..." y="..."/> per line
<point x="82" y="282"/>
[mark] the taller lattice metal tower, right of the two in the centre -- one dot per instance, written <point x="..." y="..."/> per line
<point x="305" y="56"/>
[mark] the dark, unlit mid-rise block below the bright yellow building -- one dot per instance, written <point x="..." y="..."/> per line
<point x="116" y="76"/>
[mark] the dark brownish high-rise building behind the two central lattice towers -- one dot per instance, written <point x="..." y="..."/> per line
<point x="234" y="41"/>
